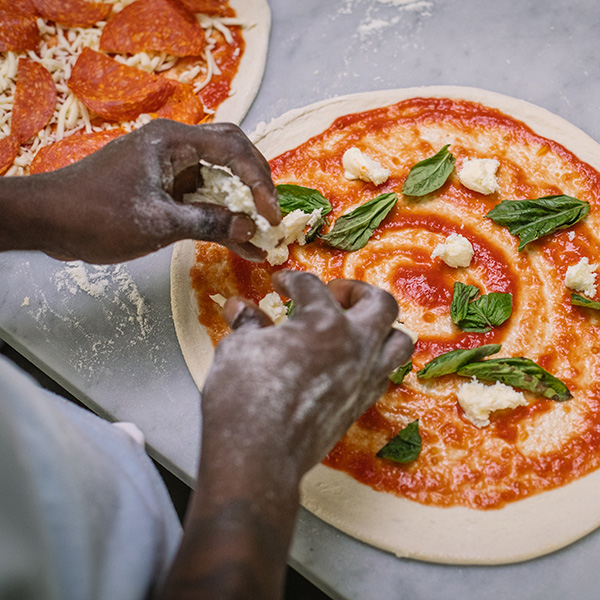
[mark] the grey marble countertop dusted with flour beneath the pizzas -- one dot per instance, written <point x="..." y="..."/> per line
<point x="106" y="333"/>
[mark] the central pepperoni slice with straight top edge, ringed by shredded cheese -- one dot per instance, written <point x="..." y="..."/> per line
<point x="115" y="91"/>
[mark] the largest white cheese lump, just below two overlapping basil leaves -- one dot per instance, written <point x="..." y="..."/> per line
<point x="479" y="400"/>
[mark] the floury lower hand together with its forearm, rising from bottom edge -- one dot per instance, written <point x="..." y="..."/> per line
<point x="286" y="395"/>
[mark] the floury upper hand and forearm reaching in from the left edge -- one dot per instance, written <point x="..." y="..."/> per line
<point x="122" y="202"/>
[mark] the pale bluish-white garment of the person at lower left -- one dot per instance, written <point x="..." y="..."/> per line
<point x="83" y="512"/>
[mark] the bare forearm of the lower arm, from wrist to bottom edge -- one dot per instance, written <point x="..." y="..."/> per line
<point x="238" y="530"/>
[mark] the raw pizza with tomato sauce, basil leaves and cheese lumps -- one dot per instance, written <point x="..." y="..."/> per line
<point x="480" y="214"/>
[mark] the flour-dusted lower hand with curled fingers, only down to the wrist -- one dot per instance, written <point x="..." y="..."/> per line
<point x="307" y="380"/>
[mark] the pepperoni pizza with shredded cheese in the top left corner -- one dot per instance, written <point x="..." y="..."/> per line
<point x="75" y="74"/>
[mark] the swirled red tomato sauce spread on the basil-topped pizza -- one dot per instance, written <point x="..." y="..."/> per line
<point x="524" y="451"/>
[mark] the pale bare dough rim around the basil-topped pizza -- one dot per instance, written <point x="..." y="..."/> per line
<point x="519" y="530"/>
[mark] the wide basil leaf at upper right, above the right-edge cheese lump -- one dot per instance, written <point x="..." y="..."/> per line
<point x="532" y="219"/>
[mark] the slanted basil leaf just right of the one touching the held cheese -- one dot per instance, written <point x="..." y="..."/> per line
<point x="352" y="231"/>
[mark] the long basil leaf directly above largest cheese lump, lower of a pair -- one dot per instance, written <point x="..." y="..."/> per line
<point x="520" y="373"/>
